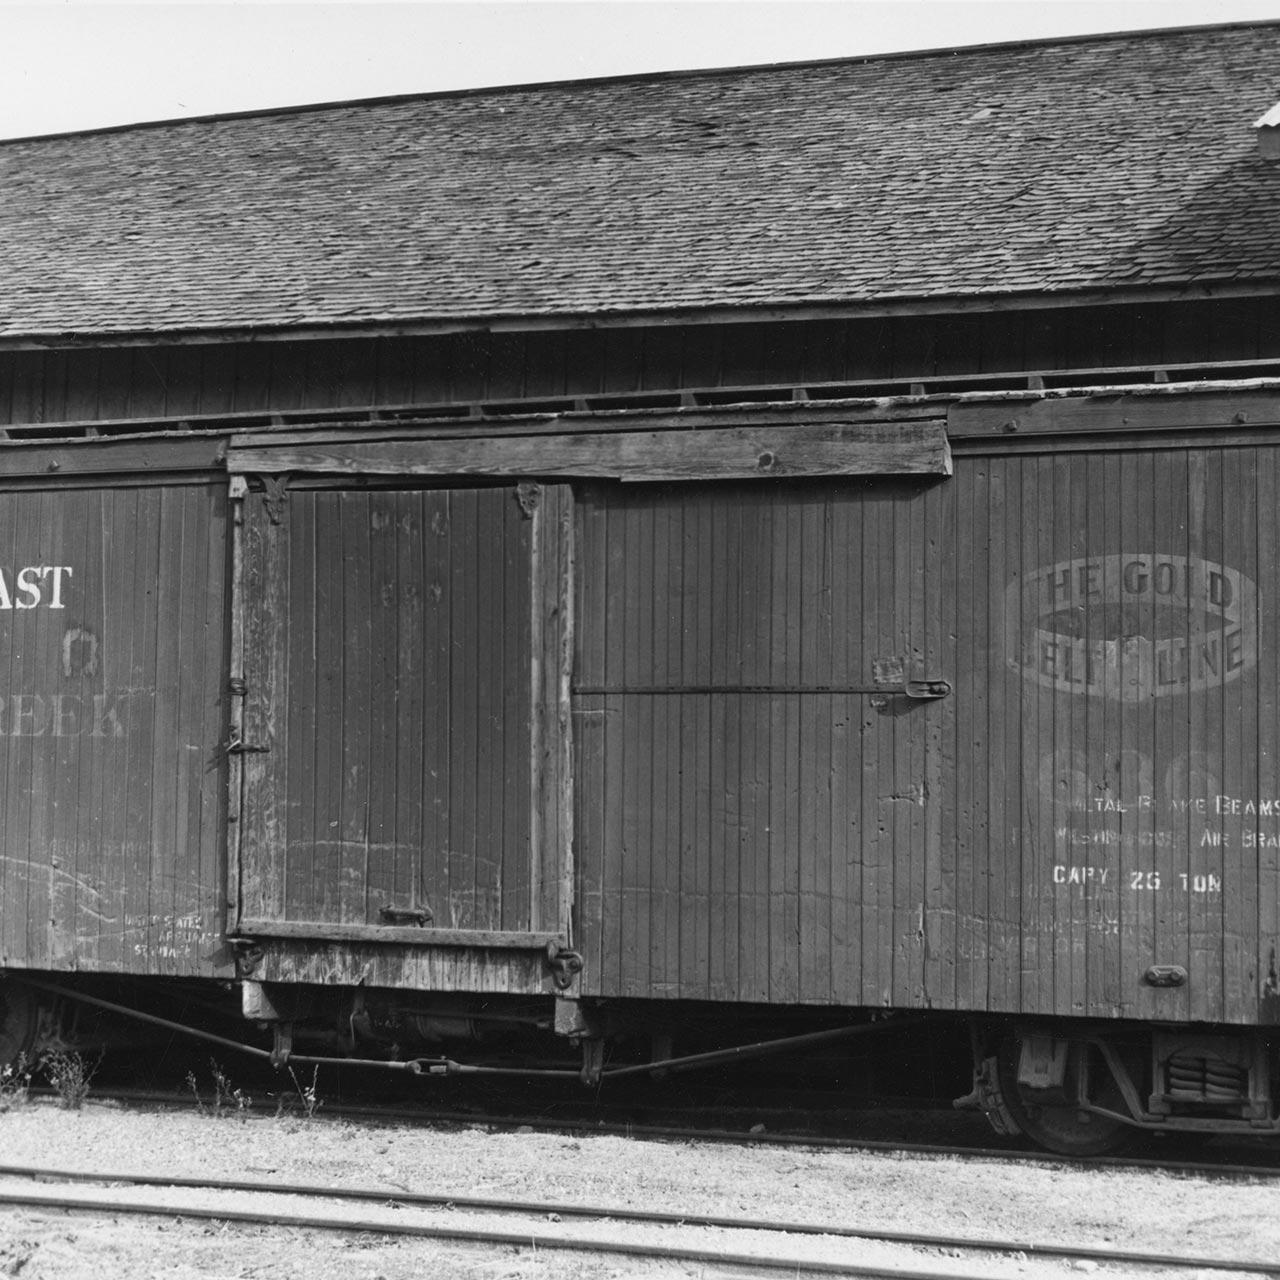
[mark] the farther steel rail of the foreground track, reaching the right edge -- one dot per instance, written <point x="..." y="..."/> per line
<point x="656" y="1218"/>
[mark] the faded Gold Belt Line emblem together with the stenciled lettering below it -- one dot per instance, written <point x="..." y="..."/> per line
<point x="1146" y="644"/>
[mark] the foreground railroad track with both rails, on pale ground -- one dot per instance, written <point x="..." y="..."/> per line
<point x="264" y="1208"/>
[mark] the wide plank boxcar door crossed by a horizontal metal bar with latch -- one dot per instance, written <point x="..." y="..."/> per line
<point x="746" y="834"/>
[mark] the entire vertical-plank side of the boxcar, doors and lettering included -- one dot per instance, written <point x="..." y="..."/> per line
<point x="1098" y="796"/>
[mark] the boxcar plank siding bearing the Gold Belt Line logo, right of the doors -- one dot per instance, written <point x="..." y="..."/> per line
<point x="1116" y="740"/>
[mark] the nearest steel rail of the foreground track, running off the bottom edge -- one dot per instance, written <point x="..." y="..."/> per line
<point x="474" y="1236"/>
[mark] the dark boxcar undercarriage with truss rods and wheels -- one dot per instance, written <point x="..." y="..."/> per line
<point x="1069" y="1087"/>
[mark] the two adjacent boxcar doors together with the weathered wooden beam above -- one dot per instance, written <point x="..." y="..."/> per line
<point x="747" y="807"/>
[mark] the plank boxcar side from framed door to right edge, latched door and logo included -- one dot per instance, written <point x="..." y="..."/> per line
<point x="1099" y="794"/>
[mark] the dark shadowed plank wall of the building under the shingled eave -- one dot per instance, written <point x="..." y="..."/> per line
<point x="171" y="382"/>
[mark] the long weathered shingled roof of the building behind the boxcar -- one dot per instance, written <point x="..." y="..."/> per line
<point x="1110" y="163"/>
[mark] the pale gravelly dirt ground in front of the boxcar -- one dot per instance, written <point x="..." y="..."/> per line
<point x="1137" y="1210"/>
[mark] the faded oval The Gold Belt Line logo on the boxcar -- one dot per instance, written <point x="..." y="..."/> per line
<point x="1132" y="627"/>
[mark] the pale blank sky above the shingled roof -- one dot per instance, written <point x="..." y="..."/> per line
<point x="81" y="66"/>
